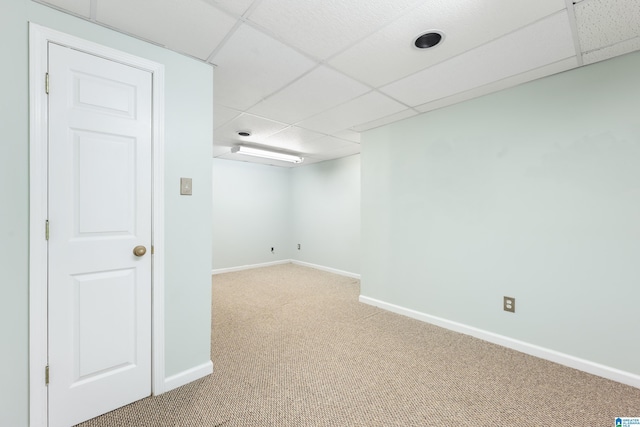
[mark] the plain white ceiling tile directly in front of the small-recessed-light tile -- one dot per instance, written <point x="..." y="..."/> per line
<point x="315" y="92"/>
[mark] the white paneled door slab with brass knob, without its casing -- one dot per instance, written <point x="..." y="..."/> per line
<point x="99" y="310"/>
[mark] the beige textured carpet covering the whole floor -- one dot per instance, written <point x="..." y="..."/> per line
<point x="292" y="346"/>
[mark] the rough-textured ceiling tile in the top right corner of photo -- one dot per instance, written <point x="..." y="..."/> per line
<point x="602" y="23"/>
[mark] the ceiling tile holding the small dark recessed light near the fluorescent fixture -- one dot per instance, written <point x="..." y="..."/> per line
<point x="259" y="127"/>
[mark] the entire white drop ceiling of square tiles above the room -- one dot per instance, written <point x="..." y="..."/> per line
<point x="308" y="76"/>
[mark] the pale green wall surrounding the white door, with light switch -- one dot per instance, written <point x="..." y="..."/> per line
<point x="188" y="129"/>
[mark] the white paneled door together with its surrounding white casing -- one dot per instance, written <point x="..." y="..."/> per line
<point x="100" y="347"/>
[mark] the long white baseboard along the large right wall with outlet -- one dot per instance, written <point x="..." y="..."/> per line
<point x="590" y="367"/>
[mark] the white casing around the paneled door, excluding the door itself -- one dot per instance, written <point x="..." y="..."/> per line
<point x="39" y="37"/>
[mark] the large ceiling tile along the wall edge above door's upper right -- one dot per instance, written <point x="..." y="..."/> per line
<point x="192" y="27"/>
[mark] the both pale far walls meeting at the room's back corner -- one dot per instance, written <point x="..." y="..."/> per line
<point x="256" y="207"/>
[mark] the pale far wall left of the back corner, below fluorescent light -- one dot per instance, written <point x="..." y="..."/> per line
<point x="251" y="214"/>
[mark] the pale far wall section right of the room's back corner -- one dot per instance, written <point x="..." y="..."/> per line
<point x="326" y="214"/>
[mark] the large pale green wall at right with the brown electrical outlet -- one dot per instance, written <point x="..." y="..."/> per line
<point x="532" y="192"/>
